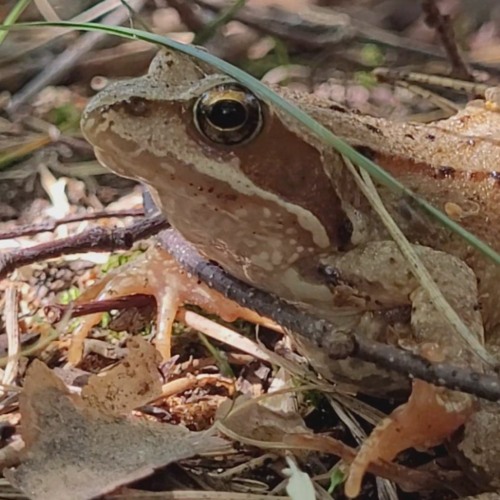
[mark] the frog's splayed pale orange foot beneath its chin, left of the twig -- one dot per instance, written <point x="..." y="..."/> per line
<point x="156" y="273"/>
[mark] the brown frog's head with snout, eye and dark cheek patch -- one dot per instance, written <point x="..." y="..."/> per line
<point x="211" y="149"/>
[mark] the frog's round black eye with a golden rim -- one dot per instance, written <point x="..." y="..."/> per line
<point x="228" y="114"/>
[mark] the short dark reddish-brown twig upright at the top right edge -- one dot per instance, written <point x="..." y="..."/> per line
<point x="442" y="24"/>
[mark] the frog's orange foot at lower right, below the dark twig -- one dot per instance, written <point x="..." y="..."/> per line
<point x="430" y="416"/>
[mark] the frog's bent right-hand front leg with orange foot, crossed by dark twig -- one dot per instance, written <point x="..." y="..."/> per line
<point x="379" y="271"/>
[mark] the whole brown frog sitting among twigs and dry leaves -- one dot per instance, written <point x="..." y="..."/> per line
<point x="255" y="192"/>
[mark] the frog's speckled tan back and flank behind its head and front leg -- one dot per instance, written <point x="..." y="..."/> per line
<point x="454" y="164"/>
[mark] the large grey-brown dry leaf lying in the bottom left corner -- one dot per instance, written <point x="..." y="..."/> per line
<point x="73" y="451"/>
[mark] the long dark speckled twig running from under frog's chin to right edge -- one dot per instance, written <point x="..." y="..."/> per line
<point x="338" y="345"/>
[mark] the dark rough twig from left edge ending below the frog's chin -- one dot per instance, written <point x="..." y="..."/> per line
<point x="96" y="240"/>
